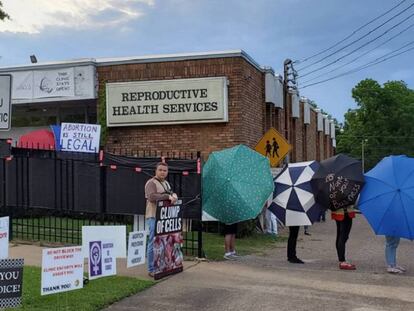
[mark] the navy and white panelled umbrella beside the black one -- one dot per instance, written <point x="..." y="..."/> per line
<point x="293" y="199"/>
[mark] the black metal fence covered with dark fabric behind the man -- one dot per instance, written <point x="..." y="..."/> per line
<point x="50" y="195"/>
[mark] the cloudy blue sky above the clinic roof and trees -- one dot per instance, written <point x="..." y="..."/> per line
<point x="270" y="31"/>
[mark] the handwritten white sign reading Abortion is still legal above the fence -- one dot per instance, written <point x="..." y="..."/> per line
<point x="79" y="137"/>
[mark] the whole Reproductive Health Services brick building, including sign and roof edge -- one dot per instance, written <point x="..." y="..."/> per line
<point x="239" y="101"/>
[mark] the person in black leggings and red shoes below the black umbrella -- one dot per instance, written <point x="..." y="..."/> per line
<point x="343" y="218"/>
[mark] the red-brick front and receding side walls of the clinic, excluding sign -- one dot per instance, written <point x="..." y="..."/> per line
<point x="249" y="116"/>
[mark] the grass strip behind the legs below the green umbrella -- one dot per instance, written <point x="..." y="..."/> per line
<point x="213" y="244"/>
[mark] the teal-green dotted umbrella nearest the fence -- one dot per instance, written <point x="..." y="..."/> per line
<point x="236" y="184"/>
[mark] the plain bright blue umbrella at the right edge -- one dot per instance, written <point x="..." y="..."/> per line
<point x="387" y="199"/>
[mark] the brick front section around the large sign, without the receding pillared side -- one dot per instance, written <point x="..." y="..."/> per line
<point x="246" y="104"/>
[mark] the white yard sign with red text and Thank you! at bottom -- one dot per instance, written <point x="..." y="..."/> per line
<point x="62" y="270"/>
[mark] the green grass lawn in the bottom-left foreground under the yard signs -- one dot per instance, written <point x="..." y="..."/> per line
<point x="96" y="295"/>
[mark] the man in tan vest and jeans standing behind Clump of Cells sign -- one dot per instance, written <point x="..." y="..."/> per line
<point x="156" y="189"/>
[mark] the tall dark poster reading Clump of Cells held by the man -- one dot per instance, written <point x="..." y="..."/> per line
<point x="168" y="256"/>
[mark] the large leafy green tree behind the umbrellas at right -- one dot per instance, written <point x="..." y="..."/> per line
<point x="382" y="124"/>
